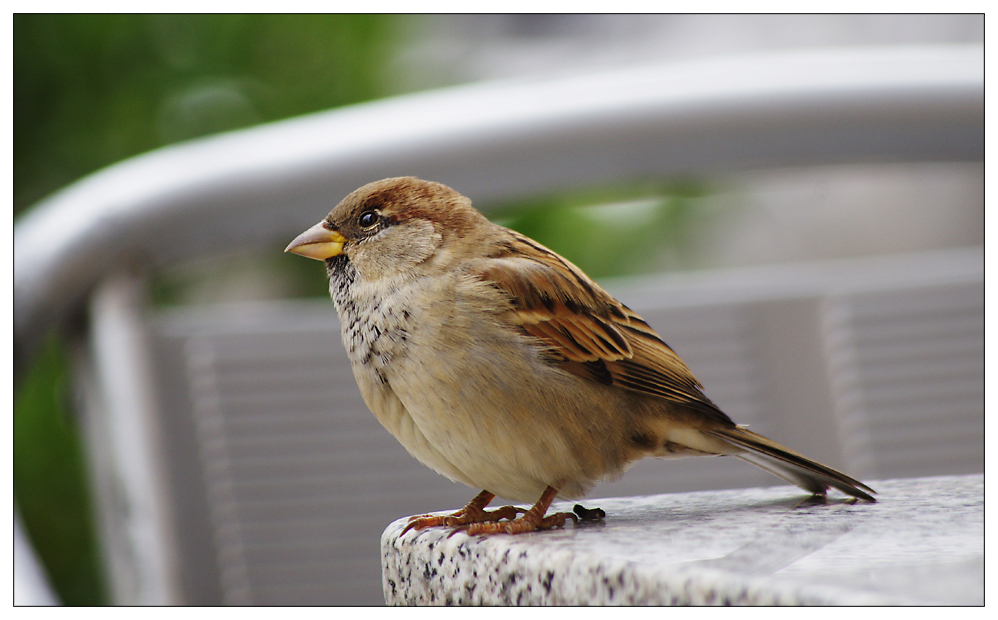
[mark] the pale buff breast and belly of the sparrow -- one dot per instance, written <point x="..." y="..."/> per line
<point x="440" y="371"/>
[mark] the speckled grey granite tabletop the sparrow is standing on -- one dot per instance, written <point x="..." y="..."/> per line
<point x="921" y="543"/>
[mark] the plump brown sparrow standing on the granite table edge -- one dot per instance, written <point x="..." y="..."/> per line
<point x="501" y="365"/>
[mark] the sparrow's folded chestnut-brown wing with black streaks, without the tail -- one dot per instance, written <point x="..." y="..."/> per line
<point x="585" y="330"/>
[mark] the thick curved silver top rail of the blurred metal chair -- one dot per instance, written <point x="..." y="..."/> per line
<point x="498" y="141"/>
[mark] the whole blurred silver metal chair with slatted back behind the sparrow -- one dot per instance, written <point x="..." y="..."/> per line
<point x="232" y="458"/>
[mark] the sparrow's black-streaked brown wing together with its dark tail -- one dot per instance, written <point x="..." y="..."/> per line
<point x="592" y="335"/>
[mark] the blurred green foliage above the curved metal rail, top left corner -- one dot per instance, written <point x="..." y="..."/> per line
<point x="91" y="90"/>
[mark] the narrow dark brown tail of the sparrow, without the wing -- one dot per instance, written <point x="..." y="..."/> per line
<point x="788" y="465"/>
